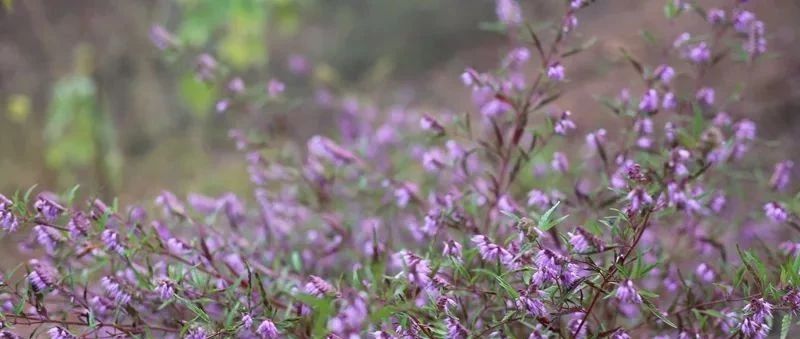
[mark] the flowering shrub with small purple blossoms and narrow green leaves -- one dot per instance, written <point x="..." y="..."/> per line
<point x="415" y="224"/>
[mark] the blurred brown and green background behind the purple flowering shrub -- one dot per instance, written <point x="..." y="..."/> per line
<point x="87" y="98"/>
